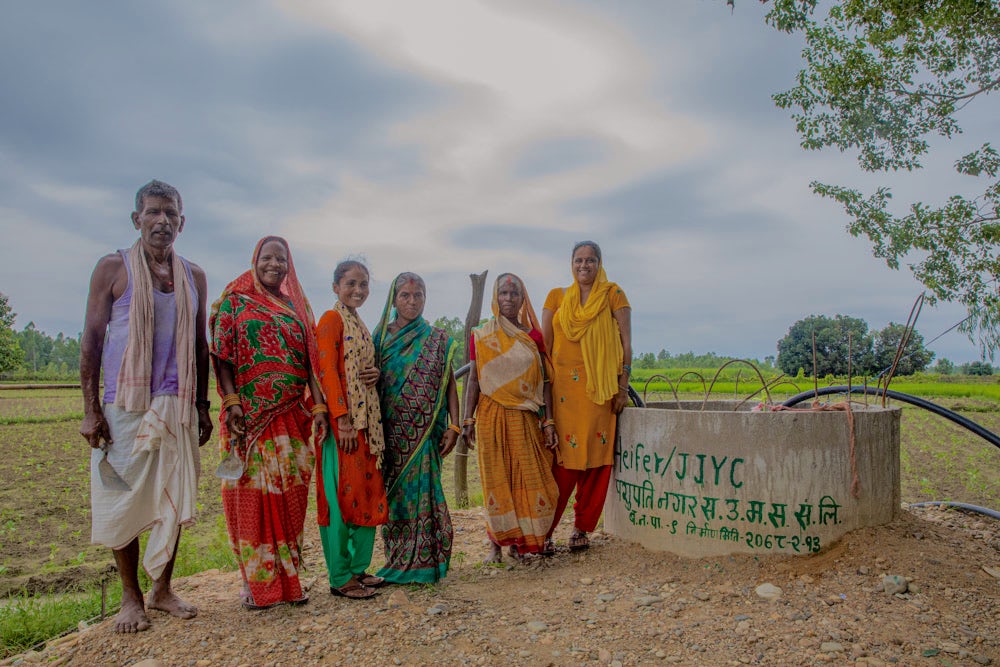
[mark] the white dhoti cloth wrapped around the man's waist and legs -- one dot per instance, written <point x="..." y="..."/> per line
<point x="159" y="458"/>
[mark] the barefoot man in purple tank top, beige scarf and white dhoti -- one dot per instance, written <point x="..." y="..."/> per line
<point x="145" y="328"/>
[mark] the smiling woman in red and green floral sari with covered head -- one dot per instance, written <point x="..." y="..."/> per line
<point x="264" y="352"/>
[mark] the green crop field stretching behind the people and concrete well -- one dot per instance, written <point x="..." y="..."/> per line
<point x="45" y="548"/>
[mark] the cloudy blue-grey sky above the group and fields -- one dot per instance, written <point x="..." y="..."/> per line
<point x="443" y="137"/>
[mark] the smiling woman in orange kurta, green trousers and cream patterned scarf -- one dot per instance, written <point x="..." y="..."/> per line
<point x="349" y="489"/>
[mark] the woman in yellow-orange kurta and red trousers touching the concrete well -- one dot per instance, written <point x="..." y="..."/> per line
<point x="587" y="327"/>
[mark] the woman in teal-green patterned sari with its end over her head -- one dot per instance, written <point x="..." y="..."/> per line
<point x="419" y="416"/>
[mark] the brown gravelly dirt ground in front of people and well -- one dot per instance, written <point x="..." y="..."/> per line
<point x="615" y="604"/>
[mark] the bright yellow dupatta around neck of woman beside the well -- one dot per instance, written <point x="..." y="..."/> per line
<point x="595" y="328"/>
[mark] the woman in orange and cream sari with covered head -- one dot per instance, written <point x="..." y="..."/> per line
<point x="509" y="393"/>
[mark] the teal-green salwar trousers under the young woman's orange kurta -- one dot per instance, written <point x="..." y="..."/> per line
<point x="346" y="547"/>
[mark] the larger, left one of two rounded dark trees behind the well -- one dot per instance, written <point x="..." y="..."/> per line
<point x="834" y="337"/>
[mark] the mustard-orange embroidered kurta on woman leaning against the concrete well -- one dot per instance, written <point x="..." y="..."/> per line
<point x="586" y="430"/>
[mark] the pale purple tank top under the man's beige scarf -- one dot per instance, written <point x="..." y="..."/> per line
<point x="164" y="379"/>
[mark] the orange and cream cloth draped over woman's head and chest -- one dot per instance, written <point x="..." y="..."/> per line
<point x="508" y="363"/>
